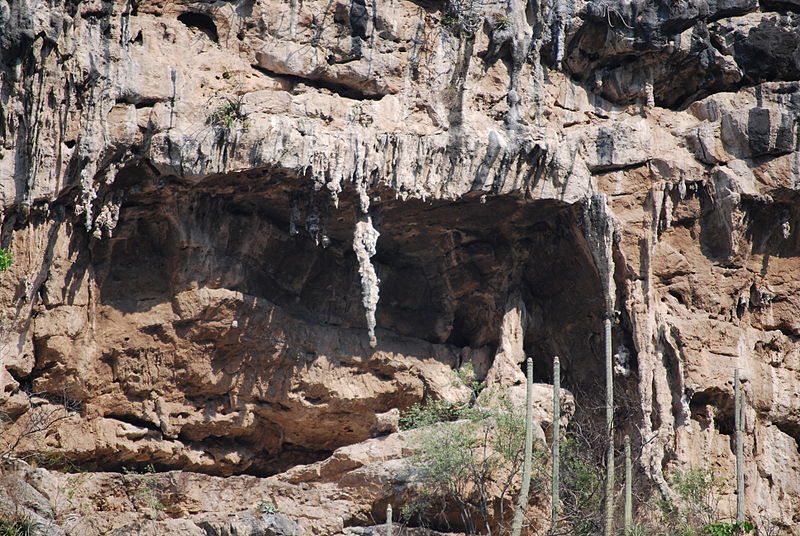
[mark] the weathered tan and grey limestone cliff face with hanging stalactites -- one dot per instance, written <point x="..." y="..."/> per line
<point x="185" y="185"/>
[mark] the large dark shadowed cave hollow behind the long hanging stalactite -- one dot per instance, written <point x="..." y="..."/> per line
<point x="446" y="269"/>
